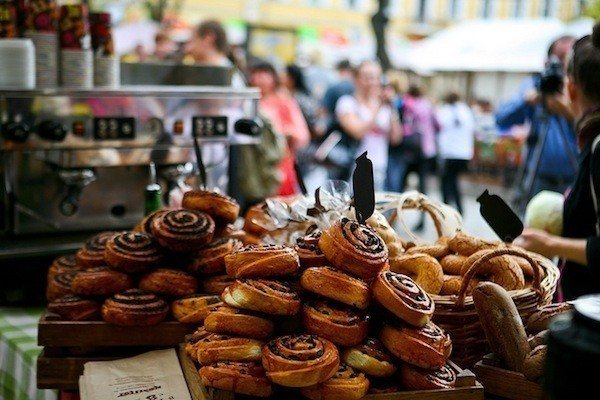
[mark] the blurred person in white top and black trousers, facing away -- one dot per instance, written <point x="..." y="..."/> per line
<point x="455" y="146"/>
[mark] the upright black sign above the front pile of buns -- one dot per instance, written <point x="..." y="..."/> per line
<point x="364" y="188"/>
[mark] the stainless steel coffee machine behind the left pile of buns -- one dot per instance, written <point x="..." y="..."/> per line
<point x="74" y="161"/>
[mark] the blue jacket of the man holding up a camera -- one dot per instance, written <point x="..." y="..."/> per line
<point x="554" y="161"/>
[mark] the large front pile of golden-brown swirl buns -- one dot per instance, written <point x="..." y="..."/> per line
<point x="327" y="318"/>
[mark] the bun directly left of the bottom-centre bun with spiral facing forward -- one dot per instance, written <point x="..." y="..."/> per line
<point x="213" y="347"/>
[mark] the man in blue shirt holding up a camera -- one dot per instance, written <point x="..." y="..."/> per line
<point x="545" y="113"/>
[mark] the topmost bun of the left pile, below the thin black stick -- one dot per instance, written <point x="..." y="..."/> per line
<point x="217" y="205"/>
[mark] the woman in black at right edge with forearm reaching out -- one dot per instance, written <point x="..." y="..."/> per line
<point x="579" y="245"/>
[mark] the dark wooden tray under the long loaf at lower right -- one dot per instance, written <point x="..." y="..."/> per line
<point x="504" y="383"/>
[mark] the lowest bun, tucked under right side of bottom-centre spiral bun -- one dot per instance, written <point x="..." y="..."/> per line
<point x="345" y="384"/>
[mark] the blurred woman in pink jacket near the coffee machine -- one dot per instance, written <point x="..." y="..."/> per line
<point x="287" y="119"/>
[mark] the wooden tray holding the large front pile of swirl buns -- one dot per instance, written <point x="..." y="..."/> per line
<point x="467" y="388"/>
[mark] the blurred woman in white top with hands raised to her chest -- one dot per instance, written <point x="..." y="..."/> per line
<point x="368" y="117"/>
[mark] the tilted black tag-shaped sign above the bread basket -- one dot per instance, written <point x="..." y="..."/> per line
<point x="500" y="217"/>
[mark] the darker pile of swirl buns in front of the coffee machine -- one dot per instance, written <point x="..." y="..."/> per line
<point x="136" y="277"/>
